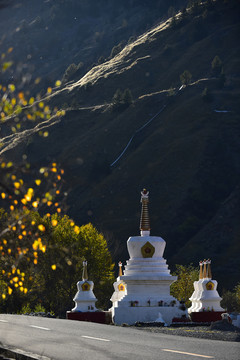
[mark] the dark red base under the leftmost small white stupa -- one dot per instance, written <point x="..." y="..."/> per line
<point x="101" y="317"/>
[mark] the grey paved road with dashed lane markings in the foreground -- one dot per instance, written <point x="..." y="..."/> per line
<point x="75" y="340"/>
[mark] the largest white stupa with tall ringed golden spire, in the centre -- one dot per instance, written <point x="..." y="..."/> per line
<point x="146" y="280"/>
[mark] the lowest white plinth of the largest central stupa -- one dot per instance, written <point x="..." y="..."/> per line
<point x="131" y="315"/>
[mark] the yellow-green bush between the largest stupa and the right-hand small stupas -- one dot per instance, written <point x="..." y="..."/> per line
<point x="182" y="289"/>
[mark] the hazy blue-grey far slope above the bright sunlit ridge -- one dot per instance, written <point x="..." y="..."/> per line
<point x="48" y="36"/>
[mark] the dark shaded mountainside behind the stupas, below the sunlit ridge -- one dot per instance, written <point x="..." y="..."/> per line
<point x="188" y="156"/>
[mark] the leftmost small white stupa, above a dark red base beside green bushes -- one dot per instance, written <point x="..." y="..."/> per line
<point x="84" y="299"/>
